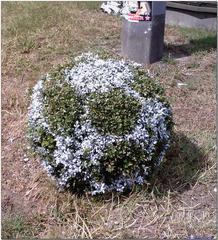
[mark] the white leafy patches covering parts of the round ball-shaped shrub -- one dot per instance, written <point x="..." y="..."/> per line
<point x="80" y="153"/>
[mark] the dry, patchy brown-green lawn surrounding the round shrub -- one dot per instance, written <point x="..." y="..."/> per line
<point x="180" y="200"/>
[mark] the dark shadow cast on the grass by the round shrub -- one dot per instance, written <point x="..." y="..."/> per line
<point x="182" y="167"/>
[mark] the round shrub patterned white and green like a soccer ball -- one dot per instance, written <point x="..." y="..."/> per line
<point x="99" y="125"/>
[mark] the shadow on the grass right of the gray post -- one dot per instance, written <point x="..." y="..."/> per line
<point x="206" y="43"/>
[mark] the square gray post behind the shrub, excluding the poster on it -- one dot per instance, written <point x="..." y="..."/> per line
<point x="143" y="41"/>
